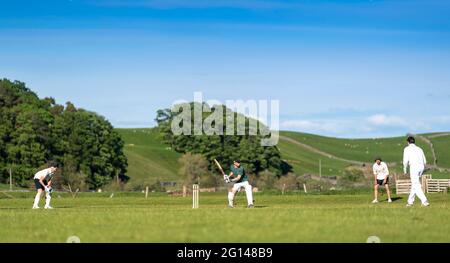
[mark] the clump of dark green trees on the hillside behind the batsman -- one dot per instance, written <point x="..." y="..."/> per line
<point x="224" y="148"/>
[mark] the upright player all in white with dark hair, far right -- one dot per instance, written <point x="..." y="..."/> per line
<point x="414" y="157"/>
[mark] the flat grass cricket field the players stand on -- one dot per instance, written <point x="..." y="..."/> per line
<point x="129" y="217"/>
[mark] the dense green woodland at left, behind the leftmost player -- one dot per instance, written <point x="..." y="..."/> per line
<point x="34" y="131"/>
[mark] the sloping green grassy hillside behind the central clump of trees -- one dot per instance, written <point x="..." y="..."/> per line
<point x="150" y="160"/>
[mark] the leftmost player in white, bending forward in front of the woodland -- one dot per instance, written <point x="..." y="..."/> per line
<point x="43" y="183"/>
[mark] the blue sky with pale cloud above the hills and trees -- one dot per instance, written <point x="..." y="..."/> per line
<point x="339" y="68"/>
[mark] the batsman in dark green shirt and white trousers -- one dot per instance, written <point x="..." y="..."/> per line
<point x="240" y="179"/>
